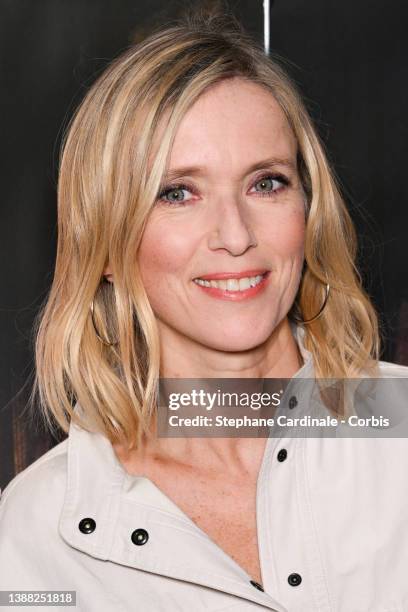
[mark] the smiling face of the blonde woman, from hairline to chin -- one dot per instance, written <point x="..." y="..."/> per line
<point x="232" y="207"/>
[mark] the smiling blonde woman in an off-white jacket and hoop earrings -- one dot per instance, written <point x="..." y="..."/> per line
<point x="201" y="235"/>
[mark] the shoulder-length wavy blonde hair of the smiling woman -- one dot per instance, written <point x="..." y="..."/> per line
<point x="107" y="186"/>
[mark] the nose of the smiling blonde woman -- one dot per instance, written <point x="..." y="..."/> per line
<point x="232" y="230"/>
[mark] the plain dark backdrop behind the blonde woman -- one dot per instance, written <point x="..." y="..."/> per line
<point x="349" y="59"/>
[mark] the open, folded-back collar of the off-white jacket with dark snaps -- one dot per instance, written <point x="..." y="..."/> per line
<point x="98" y="487"/>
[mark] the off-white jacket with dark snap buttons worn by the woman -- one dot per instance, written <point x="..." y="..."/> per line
<point x="332" y="521"/>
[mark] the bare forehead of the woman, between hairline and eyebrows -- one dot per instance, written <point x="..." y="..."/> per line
<point x="232" y="124"/>
